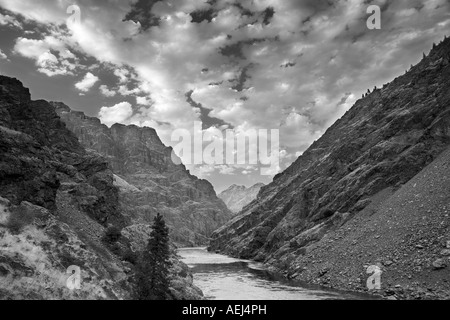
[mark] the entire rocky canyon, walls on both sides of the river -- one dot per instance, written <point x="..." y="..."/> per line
<point x="374" y="190"/>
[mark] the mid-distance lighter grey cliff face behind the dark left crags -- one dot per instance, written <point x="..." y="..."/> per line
<point x="149" y="181"/>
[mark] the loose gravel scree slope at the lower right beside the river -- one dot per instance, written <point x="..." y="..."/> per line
<point x="405" y="232"/>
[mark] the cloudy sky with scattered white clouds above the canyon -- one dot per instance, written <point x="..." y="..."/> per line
<point x="289" y="65"/>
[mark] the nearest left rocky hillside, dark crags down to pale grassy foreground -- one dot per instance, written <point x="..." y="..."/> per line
<point x="56" y="201"/>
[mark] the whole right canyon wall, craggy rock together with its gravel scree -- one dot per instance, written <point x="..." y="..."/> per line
<point x="317" y="205"/>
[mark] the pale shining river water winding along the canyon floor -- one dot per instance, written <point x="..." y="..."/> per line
<point x="224" y="278"/>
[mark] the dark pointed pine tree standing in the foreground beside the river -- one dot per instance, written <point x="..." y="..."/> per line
<point x="154" y="266"/>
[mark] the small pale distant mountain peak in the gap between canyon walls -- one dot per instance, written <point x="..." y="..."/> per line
<point x="237" y="197"/>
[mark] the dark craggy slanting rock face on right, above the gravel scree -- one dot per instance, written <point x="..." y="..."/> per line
<point x="381" y="143"/>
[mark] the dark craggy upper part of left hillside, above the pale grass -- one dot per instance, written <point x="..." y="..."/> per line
<point x="41" y="156"/>
